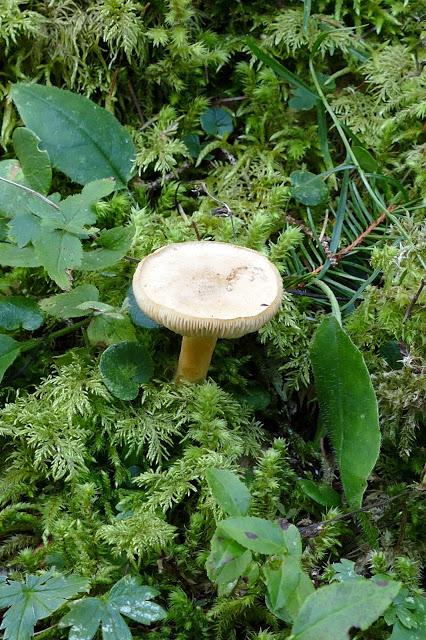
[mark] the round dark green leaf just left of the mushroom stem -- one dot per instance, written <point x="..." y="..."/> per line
<point x="124" y="366"/>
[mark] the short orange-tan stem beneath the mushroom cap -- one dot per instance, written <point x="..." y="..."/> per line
<point x="194" y="359"/>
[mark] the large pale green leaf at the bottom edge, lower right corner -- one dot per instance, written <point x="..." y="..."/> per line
<point x="338" y="607"/>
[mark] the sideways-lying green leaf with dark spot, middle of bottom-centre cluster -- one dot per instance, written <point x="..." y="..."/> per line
<point x="255" y="534"/>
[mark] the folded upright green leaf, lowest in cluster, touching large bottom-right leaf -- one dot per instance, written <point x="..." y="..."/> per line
<point x="287" y="585"/>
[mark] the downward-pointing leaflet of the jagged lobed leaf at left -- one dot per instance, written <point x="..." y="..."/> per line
<point x="58" y="252"/>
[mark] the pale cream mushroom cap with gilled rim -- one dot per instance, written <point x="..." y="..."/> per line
<point x="208" y="289"/>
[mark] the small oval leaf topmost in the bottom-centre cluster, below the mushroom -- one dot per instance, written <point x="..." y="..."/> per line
<point x="229" y="492"/>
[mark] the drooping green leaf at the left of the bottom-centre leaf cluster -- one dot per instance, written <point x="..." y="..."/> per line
<point x="226" y="563"/>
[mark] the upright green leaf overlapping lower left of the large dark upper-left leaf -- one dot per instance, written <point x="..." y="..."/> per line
<point x="35" y="163"/>
